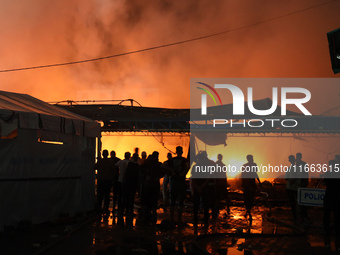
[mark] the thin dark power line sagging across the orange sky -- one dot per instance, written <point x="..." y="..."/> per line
<point x="164" y="45"/>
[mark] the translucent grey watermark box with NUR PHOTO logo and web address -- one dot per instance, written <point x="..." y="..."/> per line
<point x="263" y="109"/>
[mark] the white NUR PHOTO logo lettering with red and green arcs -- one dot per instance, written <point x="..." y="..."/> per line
<point x="284" y="96"/>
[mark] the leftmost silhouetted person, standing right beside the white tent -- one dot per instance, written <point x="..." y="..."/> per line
<point x="105" y="168"/>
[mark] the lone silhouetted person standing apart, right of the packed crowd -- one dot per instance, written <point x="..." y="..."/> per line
<point x="249" y="175"/>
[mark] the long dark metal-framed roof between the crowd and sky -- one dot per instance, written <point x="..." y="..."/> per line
<point x="120" y="118"/>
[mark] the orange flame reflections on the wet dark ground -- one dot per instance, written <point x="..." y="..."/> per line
<point x="232" y="233"/>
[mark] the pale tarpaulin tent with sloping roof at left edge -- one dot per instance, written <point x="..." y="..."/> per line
<point x="46" y="160"/>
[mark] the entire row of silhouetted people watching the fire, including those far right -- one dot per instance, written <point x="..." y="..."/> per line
<point x="139" y="177"/>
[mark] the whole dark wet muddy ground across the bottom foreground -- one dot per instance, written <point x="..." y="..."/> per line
<point x="270" y="232"/>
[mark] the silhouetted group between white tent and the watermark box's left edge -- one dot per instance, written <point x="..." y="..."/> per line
<point x="141" y="175"/>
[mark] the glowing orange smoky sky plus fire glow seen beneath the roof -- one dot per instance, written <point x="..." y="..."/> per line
<point x="46" y="32"/>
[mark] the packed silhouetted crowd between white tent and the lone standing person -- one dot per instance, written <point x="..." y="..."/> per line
<point x="139" y="177"/>
